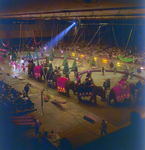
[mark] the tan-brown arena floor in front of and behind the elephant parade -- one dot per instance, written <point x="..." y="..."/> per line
<point x="68" y="120"/>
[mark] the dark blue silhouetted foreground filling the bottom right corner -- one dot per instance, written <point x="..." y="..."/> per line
<point x="131" y="137"/>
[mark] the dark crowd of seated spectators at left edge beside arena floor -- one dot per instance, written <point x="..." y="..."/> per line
<point x="13" y="100"/>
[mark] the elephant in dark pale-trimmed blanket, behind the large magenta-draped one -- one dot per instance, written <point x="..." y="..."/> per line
<point x="96" y="90"/>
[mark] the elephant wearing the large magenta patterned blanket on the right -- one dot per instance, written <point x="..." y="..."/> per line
<point x="112" y="94"/>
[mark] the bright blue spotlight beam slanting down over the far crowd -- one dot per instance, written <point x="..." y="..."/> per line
<point x="56" y="39"/>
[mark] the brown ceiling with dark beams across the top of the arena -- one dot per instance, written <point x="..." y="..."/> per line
<point x="72" y="9"/>
